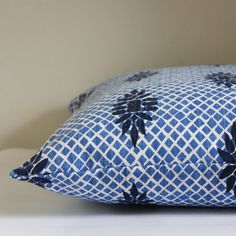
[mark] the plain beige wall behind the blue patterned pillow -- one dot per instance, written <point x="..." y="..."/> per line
<point x="51" y="50"/>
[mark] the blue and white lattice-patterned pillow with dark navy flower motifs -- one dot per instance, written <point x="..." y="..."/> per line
<point x="164" y="136"/>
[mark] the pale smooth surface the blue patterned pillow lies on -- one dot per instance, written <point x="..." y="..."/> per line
<point x="26" y="209"/>
